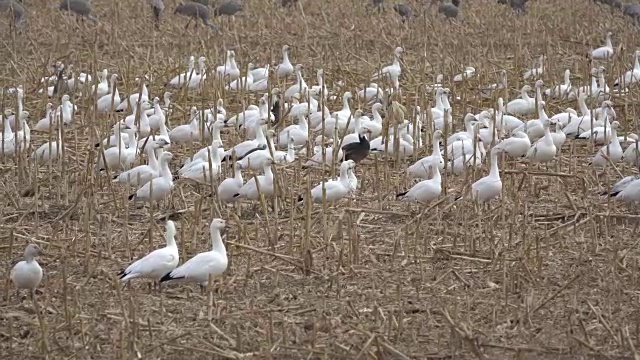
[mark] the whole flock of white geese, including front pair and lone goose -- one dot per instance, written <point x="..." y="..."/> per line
<point x="344" y="138"/>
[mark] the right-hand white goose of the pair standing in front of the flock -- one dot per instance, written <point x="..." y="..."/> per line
<point x="198" y="268"/>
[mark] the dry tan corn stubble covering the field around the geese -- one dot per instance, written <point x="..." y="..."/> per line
<point x="548" y="271"/>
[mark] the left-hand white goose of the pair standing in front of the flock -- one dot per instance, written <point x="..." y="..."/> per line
<point x="157" y="263"/>
